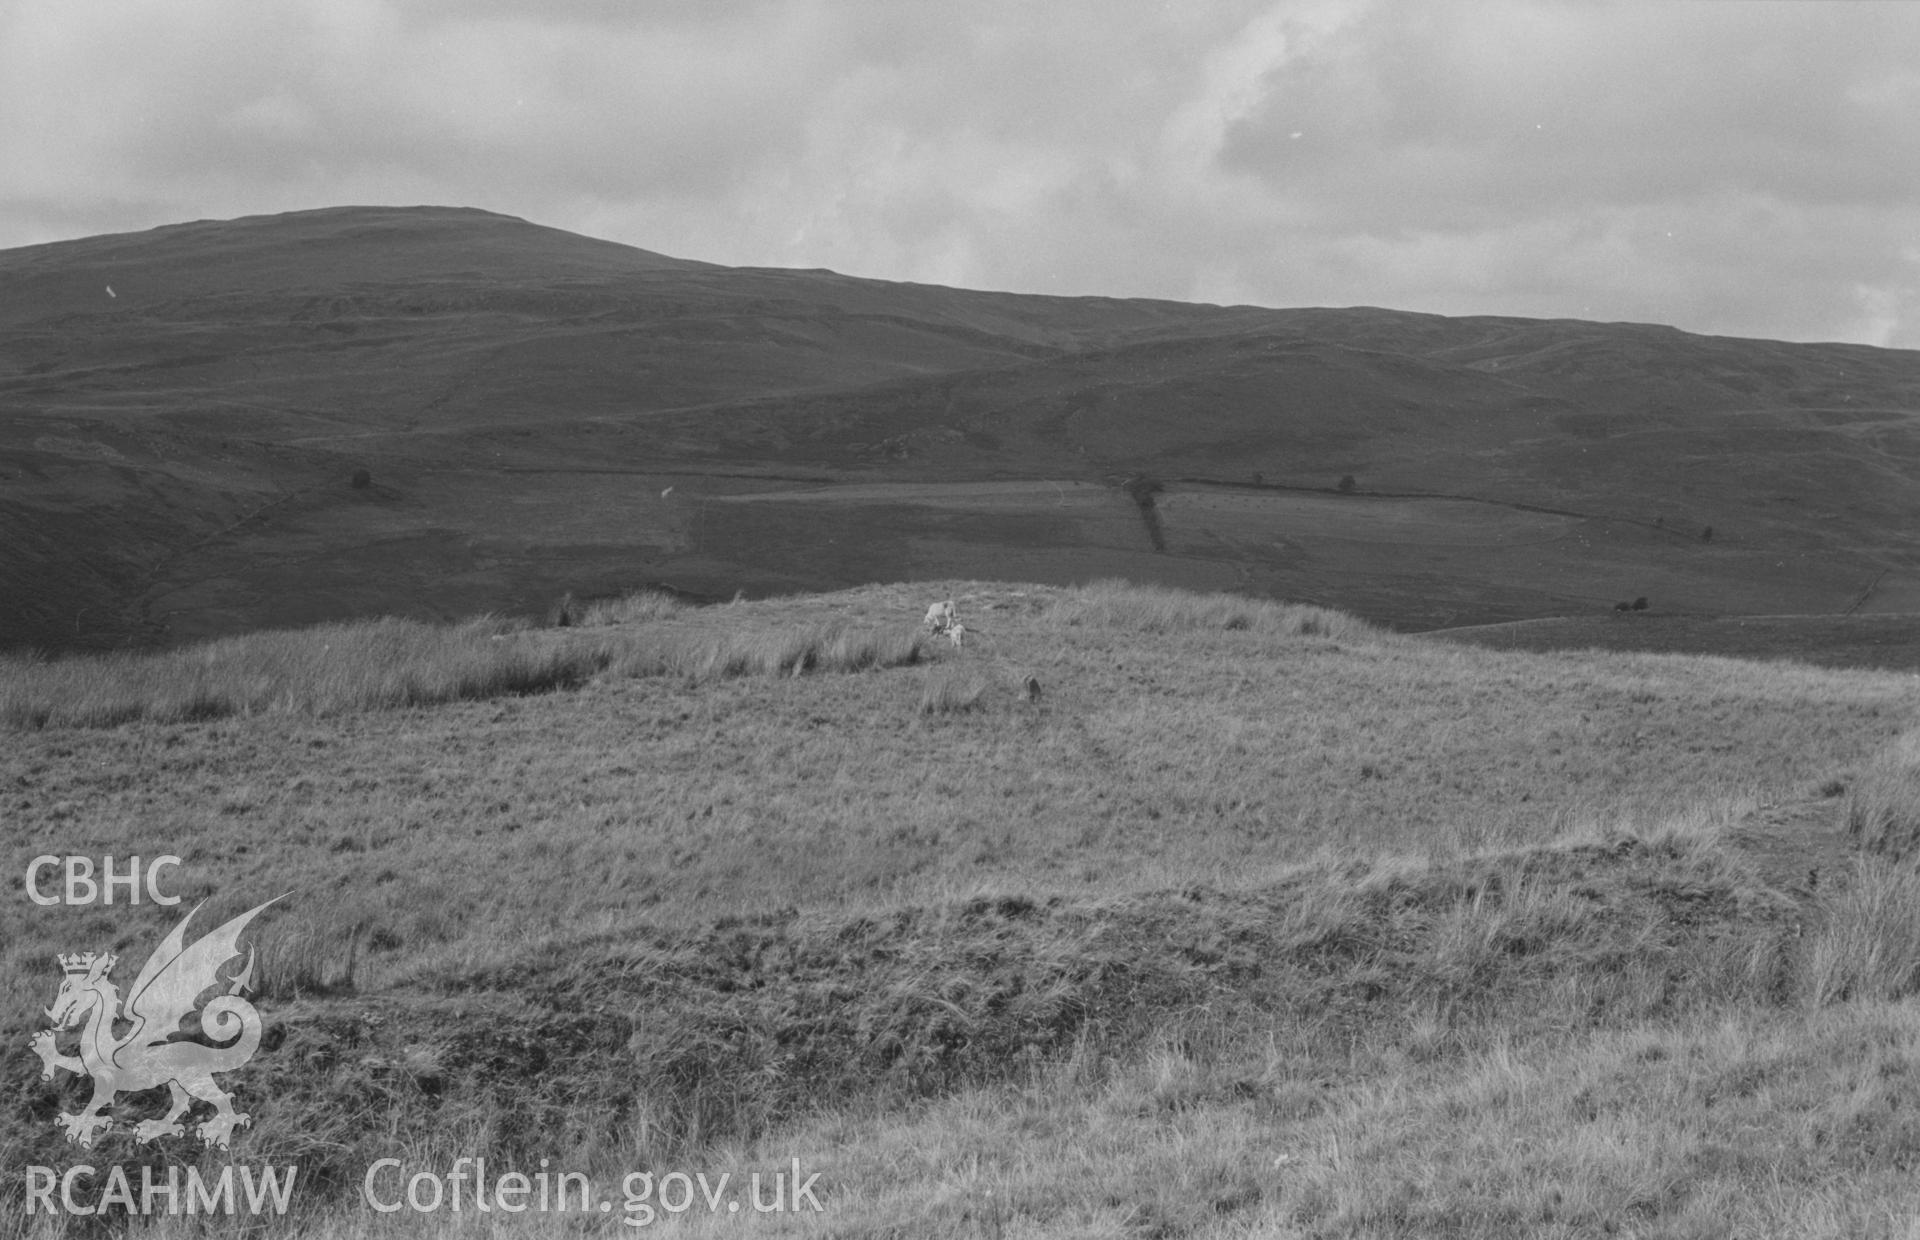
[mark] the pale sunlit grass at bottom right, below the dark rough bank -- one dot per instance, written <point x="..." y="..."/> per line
<point x="1721" y="1128"/>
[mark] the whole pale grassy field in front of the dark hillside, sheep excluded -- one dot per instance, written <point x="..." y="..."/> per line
<point x="1257" y="922"/>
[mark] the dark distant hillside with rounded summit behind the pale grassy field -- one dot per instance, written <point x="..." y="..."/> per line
<point x="435" y="412"/>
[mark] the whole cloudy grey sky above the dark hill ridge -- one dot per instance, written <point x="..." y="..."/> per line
<point x="1721" y="166"/>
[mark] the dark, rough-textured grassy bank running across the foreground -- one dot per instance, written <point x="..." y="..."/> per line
<point x="669" y="1045"/>
